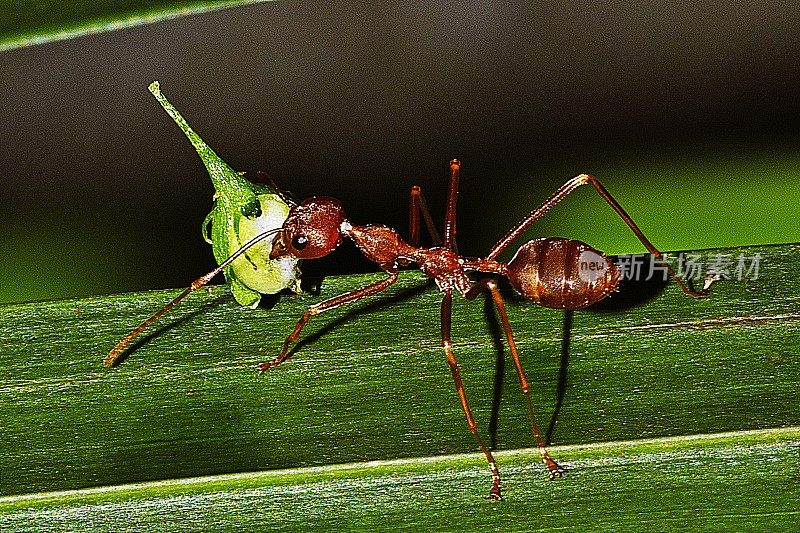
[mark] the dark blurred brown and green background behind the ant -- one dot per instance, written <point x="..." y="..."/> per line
<point x="686" y="110"/>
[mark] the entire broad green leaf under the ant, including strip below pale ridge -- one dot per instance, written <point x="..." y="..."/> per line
<point x="711" y="385"/>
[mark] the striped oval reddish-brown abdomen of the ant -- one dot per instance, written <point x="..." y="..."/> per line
<point x="562" y="273"/>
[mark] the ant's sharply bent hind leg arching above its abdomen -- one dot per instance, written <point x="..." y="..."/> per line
<point x="561" y="193"/>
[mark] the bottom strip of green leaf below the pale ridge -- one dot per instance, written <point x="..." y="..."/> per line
<point x="716" y="483"/>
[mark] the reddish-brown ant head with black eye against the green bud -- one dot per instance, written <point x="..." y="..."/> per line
<point x="312" y="229"/>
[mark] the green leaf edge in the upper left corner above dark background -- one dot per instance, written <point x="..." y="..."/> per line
<point x="28" y="22"/>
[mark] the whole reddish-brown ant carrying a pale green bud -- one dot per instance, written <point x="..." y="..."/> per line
<point x="553" y="272"/>
